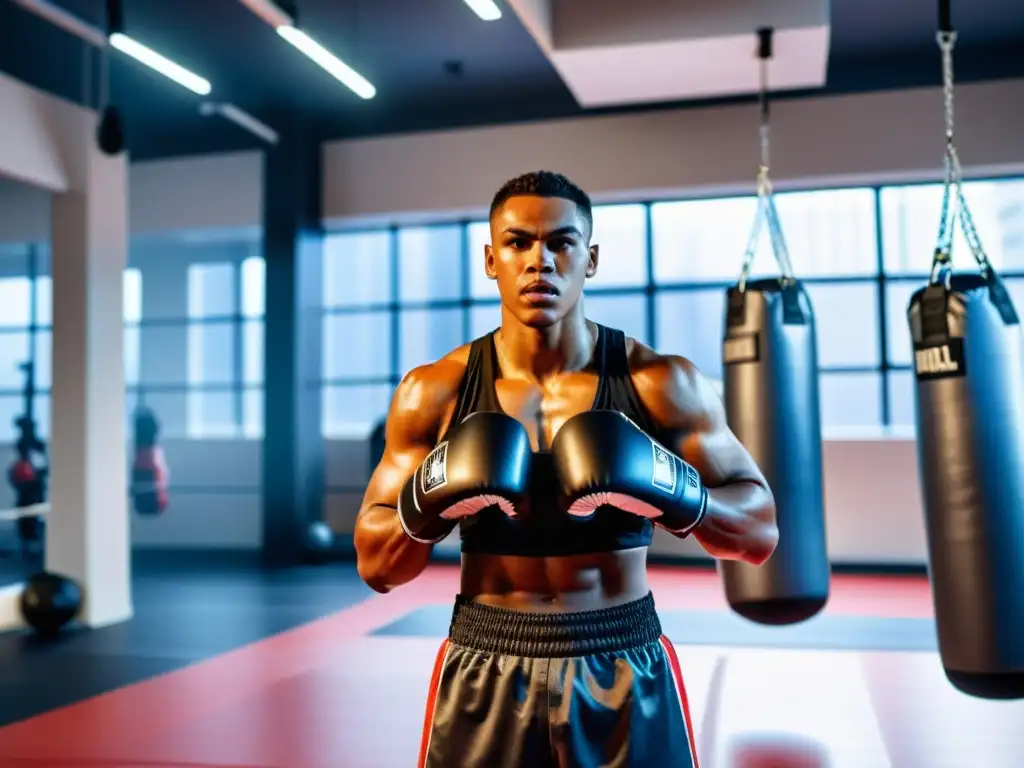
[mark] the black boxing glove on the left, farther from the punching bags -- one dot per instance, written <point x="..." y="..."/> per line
<point x="485" y="461"/>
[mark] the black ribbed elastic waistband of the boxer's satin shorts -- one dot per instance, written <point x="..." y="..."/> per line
<point x="517" y="633"/>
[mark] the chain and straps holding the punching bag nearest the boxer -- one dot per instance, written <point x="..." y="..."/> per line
<point x="766" y="216"/>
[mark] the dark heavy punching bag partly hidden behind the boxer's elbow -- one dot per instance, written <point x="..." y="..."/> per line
<point x="772" y="401"/>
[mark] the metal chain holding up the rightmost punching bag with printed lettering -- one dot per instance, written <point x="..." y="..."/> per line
<point x="955" y="206"/>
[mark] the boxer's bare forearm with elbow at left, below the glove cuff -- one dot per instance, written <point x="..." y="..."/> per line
<point x="387" y="557"/>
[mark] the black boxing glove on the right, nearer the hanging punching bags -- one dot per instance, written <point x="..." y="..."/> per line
<point x="603" y="458"/>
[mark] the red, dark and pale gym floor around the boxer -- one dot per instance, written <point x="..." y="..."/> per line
<point x="227" y="665"/>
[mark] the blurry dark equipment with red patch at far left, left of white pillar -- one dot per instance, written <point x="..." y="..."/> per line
<point x="29" y="474"/>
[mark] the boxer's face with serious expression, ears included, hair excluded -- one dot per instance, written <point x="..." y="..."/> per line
<point x="540" y="257"/>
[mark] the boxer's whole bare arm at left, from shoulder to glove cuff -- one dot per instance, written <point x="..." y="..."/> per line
<point x="387" y="558"/>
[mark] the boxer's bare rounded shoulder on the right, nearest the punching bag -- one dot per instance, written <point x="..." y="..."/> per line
<point x="673" y="390"/>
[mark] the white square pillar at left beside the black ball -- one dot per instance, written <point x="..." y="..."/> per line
<point x="88" y="535"/>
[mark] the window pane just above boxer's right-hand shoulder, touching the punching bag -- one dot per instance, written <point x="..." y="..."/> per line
<point x="692" y="324"/>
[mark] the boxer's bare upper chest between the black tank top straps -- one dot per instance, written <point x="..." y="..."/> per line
<point x="543" y="409"/>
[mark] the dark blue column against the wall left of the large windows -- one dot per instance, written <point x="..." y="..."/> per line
<point x="293" y="445"/>
